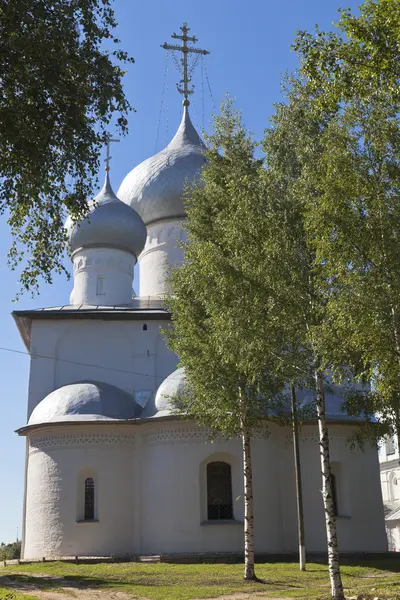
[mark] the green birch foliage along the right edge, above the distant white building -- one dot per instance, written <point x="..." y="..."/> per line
<point x="351" y="195"/>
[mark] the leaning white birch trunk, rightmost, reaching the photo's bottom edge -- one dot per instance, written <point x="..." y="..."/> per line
<point x="327" y="492"/>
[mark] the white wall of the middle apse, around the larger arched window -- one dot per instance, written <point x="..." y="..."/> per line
<point x="174" y="459"/>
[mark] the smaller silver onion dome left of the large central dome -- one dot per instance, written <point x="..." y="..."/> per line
<point x="110" y="223"/>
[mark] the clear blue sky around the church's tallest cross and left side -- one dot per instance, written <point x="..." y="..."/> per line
<point x="250" y="48"/>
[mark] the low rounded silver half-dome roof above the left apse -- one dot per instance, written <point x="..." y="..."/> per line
<point x="85" y="401"/>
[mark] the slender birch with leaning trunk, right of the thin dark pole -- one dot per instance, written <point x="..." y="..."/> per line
<point x="292" y="144"/>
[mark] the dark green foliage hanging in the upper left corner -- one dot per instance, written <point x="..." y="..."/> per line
<point x="60" y="90"/>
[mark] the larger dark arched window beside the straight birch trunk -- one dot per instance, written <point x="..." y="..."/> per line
<point x="219" y="491"/>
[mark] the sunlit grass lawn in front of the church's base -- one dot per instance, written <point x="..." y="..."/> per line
<point x="379" y="578"/>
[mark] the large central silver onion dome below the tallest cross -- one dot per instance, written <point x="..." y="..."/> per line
<point x="155" y="187"/>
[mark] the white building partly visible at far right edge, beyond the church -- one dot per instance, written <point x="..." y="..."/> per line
<point x="389" y="459"/>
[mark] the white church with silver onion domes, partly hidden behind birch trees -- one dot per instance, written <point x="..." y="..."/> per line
<point x="110" y="468"/>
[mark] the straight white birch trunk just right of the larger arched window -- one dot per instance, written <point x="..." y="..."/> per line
<point x="249" y="574"/>
